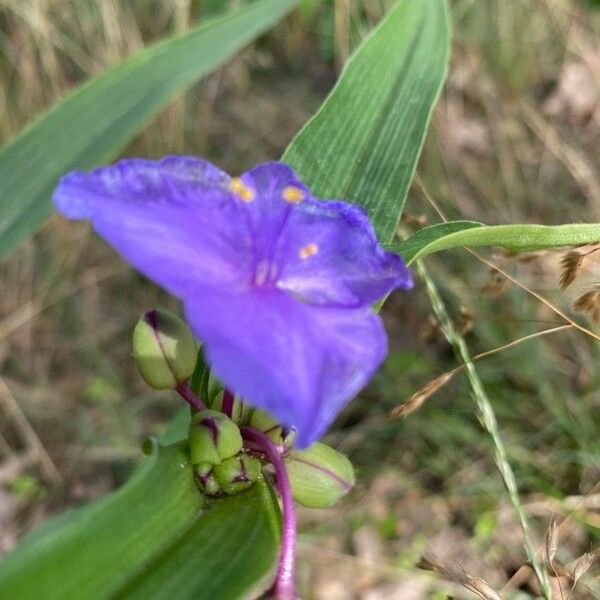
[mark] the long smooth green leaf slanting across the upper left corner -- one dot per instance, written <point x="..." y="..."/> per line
<point x="95" y="123"/>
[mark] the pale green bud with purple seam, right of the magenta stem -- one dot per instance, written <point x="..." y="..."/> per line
<point x="319" y="476"/>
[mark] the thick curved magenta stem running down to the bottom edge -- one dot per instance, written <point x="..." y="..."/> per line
<point x="285" y="586"/>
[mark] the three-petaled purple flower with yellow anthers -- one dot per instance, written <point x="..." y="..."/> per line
<point x="276" y="283"/>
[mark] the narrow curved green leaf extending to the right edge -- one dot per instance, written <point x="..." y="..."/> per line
<point x="514" y="238"/>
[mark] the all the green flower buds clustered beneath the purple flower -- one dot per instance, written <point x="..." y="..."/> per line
<point x="166" y="353"/>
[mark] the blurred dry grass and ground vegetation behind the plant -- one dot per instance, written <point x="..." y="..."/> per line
<point x="515" y="138"/>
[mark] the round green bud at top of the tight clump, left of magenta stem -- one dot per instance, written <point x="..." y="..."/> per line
<point x="213" y="437"/>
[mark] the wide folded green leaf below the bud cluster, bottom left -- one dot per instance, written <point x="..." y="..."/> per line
<point x="154" y="538"/>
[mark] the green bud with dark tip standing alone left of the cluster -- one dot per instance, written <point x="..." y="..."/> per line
<point x="164" y="350"/>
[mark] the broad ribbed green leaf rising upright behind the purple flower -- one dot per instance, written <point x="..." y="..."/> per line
<point x="364" y="142"/>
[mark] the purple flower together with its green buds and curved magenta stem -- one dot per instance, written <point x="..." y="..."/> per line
<point x="279" y="287"/>
